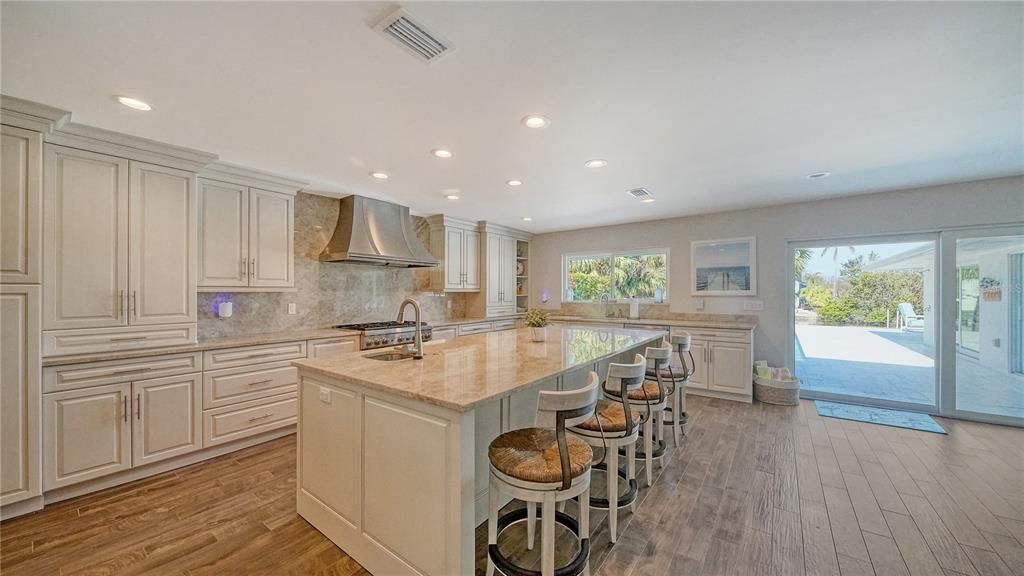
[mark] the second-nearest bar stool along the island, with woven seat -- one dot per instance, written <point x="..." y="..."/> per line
<point x="616" y="426"/>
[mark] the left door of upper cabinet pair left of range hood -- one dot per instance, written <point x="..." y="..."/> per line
<point x="224" y="234"/>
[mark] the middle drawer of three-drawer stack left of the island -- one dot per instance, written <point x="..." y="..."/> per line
<point x="232" y="386"/>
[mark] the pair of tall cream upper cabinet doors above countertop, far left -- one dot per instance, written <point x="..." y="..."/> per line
<point x="119" y="245"/>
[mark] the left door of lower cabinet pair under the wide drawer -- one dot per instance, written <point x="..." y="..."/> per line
<point x="87" y="435"/>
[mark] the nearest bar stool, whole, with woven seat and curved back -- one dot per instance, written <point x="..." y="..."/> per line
<point x="544" y="466"/>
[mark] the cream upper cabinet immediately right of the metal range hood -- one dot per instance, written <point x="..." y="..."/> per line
<point x="457" y="245"/>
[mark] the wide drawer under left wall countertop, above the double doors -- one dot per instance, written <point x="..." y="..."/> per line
<point x="74" y="377"/>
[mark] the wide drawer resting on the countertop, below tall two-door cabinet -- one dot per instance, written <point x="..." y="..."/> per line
<point x="80" y="341"/>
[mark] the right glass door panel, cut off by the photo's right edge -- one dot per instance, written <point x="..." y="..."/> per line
<point x="985" y="372"/>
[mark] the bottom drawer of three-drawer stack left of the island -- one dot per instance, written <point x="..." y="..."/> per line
<point x="250" y="419"/>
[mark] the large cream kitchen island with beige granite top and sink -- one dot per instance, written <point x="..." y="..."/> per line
<point x="393" y="456"/>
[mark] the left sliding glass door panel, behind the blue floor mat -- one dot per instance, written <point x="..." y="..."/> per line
<point x="864" y="321"/>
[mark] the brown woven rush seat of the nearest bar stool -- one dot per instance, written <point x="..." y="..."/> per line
<point x="532" y="455"/>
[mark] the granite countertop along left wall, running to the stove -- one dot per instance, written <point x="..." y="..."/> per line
<point x="204" y="345"/>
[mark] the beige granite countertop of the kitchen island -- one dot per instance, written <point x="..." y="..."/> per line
<point x="467" y="372"/>
